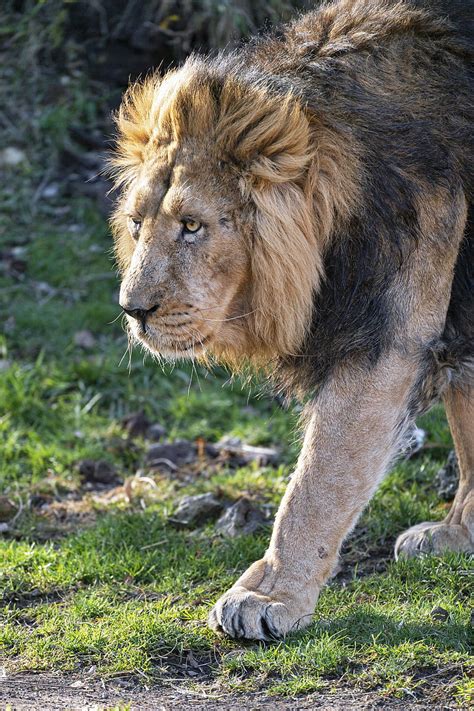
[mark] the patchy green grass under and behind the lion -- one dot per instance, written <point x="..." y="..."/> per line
<point x="95" y="579"/>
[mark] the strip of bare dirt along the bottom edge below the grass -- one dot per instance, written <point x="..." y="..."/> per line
<point x="54" y="692"/>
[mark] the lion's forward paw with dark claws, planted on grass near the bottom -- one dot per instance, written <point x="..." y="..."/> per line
<point x="245" y="614"/>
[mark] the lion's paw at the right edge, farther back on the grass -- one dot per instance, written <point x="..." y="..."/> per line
<point x="433" y="538"/>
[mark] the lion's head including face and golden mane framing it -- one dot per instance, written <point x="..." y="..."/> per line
<point x="215" y="230"/>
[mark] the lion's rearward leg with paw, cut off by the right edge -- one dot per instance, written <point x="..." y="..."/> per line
<point x="456" y="532"/>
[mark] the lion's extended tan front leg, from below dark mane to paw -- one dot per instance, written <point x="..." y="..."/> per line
<point x="353" y="433"/>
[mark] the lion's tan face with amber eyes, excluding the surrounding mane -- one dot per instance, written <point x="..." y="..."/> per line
<point x="189" y="264"/>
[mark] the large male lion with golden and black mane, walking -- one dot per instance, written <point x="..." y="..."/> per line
<point x="301" y="204"/>
